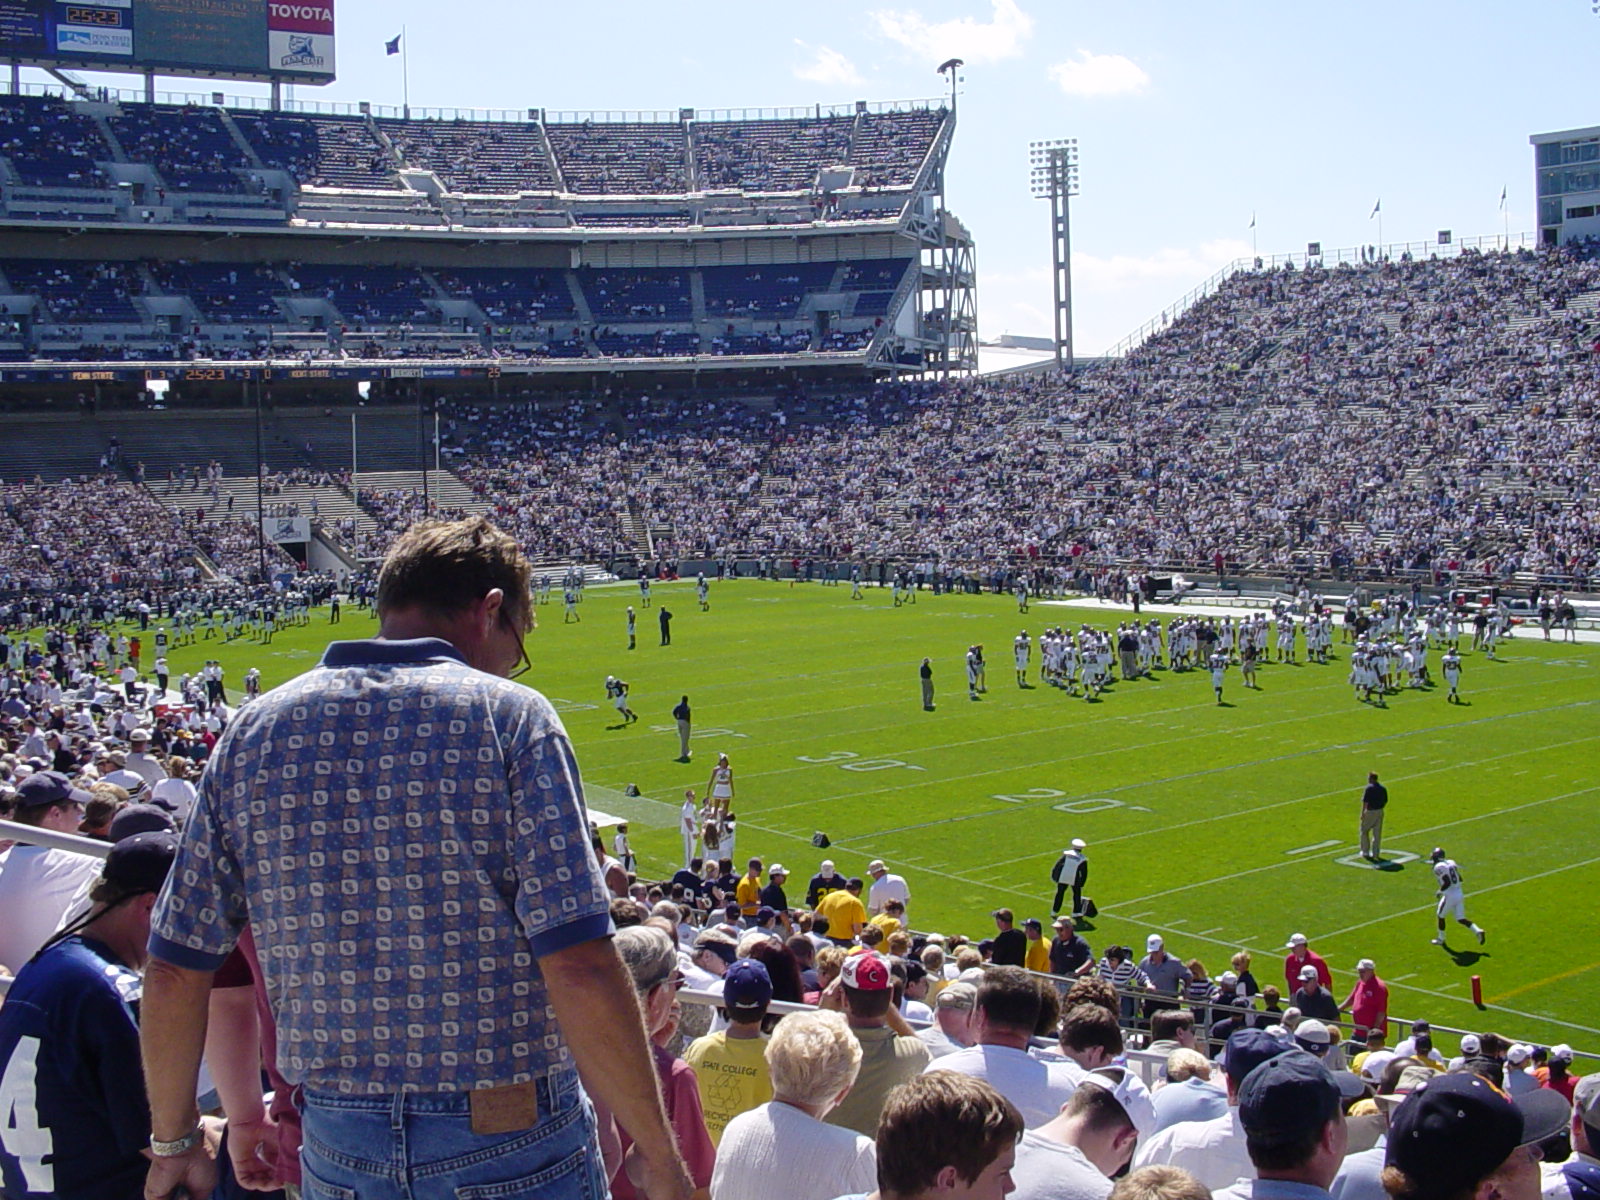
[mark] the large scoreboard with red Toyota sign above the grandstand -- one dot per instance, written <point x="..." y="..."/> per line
<point x="217" y="39"/>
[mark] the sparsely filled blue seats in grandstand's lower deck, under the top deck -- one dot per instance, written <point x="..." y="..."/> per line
<point x="398" y="313"/>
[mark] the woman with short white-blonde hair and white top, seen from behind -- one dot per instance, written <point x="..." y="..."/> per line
<point x="783" y="1150"/>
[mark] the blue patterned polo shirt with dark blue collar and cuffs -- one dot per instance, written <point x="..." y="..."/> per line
<point x="407" y="838"/>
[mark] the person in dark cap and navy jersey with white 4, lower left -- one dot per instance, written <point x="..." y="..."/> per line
<point x="74" y="1119"/>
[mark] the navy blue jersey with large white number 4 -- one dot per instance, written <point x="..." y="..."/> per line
<point x="73" y="1111"/>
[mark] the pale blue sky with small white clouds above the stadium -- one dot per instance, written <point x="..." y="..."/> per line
<point x="1191" y="119"/>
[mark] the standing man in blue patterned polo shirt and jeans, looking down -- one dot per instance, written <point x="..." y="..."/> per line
<point x="406" y="834"/>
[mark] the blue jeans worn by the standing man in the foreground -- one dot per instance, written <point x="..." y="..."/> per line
<point x="422" y="1146"/>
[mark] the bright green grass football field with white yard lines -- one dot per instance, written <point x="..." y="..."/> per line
<point x="1222" y="828"/>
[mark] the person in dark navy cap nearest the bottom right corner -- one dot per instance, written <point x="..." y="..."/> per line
<point x="1462" y="1138"/>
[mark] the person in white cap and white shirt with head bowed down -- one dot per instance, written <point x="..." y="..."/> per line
<point x="1076" y="1154"/>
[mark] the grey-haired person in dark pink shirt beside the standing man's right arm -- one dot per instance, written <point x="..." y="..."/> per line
<point x="652" y="961"/>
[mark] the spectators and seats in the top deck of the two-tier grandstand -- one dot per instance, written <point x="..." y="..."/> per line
<point x="194" y="151"/>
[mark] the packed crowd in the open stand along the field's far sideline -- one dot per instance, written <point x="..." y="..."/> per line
<point x="1241" y="438"/>
